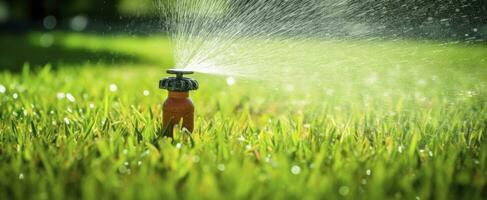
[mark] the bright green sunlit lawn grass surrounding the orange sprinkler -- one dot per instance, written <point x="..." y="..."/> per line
<point x="388" y="129"/>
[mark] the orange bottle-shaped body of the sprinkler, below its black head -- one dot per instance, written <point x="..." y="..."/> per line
<point x="177" y="109"/>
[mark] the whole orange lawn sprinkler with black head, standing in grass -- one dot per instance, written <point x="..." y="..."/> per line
<point x="178" y="107"/>
